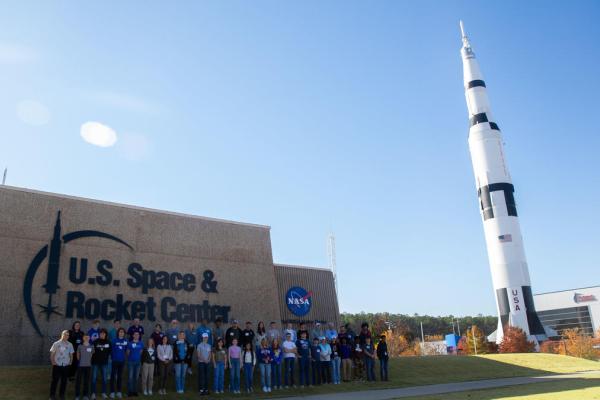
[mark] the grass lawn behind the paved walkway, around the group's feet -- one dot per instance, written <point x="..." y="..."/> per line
<point x="33" y="382"/>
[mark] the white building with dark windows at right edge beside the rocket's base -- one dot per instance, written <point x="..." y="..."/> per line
<point x="568" y="309"/>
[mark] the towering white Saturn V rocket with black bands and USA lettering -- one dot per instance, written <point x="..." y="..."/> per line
<point x="510" y="275"/>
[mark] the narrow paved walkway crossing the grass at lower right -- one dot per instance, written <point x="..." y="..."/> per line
<point x="386" y="394"/>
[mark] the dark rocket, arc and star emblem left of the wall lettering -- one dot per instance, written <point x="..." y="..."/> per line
<point x="51" y="285"/>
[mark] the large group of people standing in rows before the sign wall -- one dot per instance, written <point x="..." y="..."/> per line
<point x="285" y="358"/>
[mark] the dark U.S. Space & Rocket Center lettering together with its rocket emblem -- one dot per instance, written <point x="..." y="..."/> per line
<point x="83" y="271"/>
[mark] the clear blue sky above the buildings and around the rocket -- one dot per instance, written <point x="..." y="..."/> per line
<point x="314" y="117"/>
